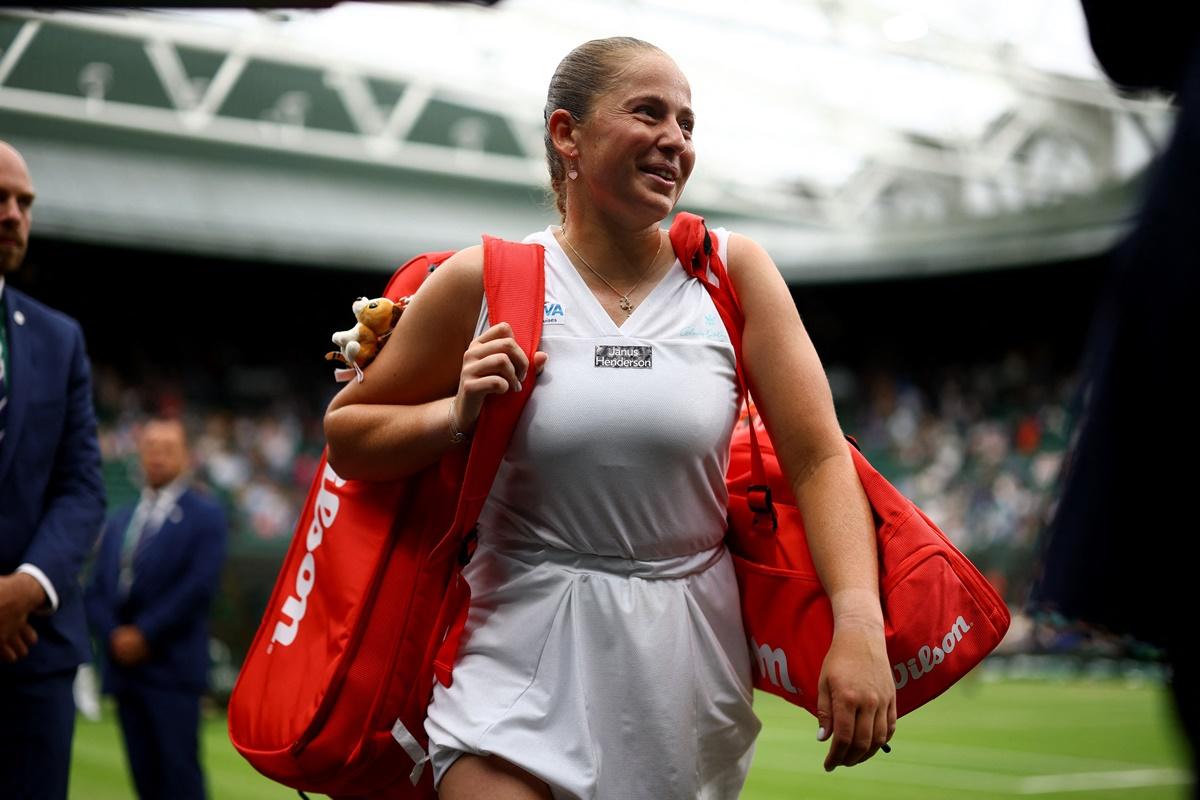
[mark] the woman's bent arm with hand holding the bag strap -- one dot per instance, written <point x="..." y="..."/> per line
<point x="397" y="422"/>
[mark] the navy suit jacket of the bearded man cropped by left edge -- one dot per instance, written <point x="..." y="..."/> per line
<point x="52" y="496"/>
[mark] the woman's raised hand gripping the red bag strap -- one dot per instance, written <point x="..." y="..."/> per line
<point x="493" y="365"/>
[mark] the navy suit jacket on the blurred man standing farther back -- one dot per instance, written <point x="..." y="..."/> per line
<point x="176" y="574"/>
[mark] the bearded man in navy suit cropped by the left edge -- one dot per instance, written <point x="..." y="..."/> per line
<point x="52" y="506"/>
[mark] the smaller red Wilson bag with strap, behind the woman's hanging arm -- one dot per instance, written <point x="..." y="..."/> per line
<point x="941" y="616"/>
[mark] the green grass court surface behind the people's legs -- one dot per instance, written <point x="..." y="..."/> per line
<point x="1067" y="739"/>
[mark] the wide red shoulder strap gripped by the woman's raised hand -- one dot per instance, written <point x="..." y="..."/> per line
<point x="515" y="286"/>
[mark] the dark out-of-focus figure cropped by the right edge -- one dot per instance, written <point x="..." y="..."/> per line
<point x="1121" y="544"/>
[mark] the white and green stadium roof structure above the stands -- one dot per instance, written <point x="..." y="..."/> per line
<point x="854" y="139"/>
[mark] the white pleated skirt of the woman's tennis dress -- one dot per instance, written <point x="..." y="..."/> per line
<point x="608" y="678"/>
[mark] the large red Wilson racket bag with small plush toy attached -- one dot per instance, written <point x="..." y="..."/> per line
<point x="370" y="603"/>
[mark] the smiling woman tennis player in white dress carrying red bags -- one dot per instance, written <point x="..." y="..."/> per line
<point x="605" y="654"/>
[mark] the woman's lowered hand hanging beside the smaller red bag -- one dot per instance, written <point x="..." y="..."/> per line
<point x="856" y="695"/>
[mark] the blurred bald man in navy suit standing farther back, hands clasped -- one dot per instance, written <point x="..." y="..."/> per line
<point x="148" y="604"/>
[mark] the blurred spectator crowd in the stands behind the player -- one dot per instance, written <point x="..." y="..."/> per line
<point x="979" y="448"/>
